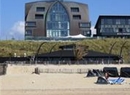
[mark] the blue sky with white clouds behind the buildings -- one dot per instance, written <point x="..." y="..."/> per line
<point x="12" y="14"/>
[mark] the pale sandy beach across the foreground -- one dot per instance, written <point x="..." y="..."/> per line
<point x="19" y="80"/>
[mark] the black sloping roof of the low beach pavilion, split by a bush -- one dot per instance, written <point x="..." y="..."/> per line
<point x="70" y="54"/>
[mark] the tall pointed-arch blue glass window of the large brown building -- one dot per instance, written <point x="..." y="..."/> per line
<point x="57" y="24"/>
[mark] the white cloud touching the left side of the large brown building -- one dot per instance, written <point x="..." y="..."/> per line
<point x="17" y="30"/>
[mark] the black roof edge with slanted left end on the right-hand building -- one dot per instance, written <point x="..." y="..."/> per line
<point x="110" y="16"/>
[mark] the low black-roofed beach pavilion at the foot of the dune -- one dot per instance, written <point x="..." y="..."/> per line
<point x="66" y="55"/>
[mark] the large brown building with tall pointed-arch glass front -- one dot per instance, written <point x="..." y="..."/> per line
<point x="52" y="19"/>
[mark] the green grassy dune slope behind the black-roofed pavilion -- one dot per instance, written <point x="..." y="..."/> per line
<point x="8" y="48"/>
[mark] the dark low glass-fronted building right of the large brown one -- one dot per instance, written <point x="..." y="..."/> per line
<point x="113" y="26"/>
